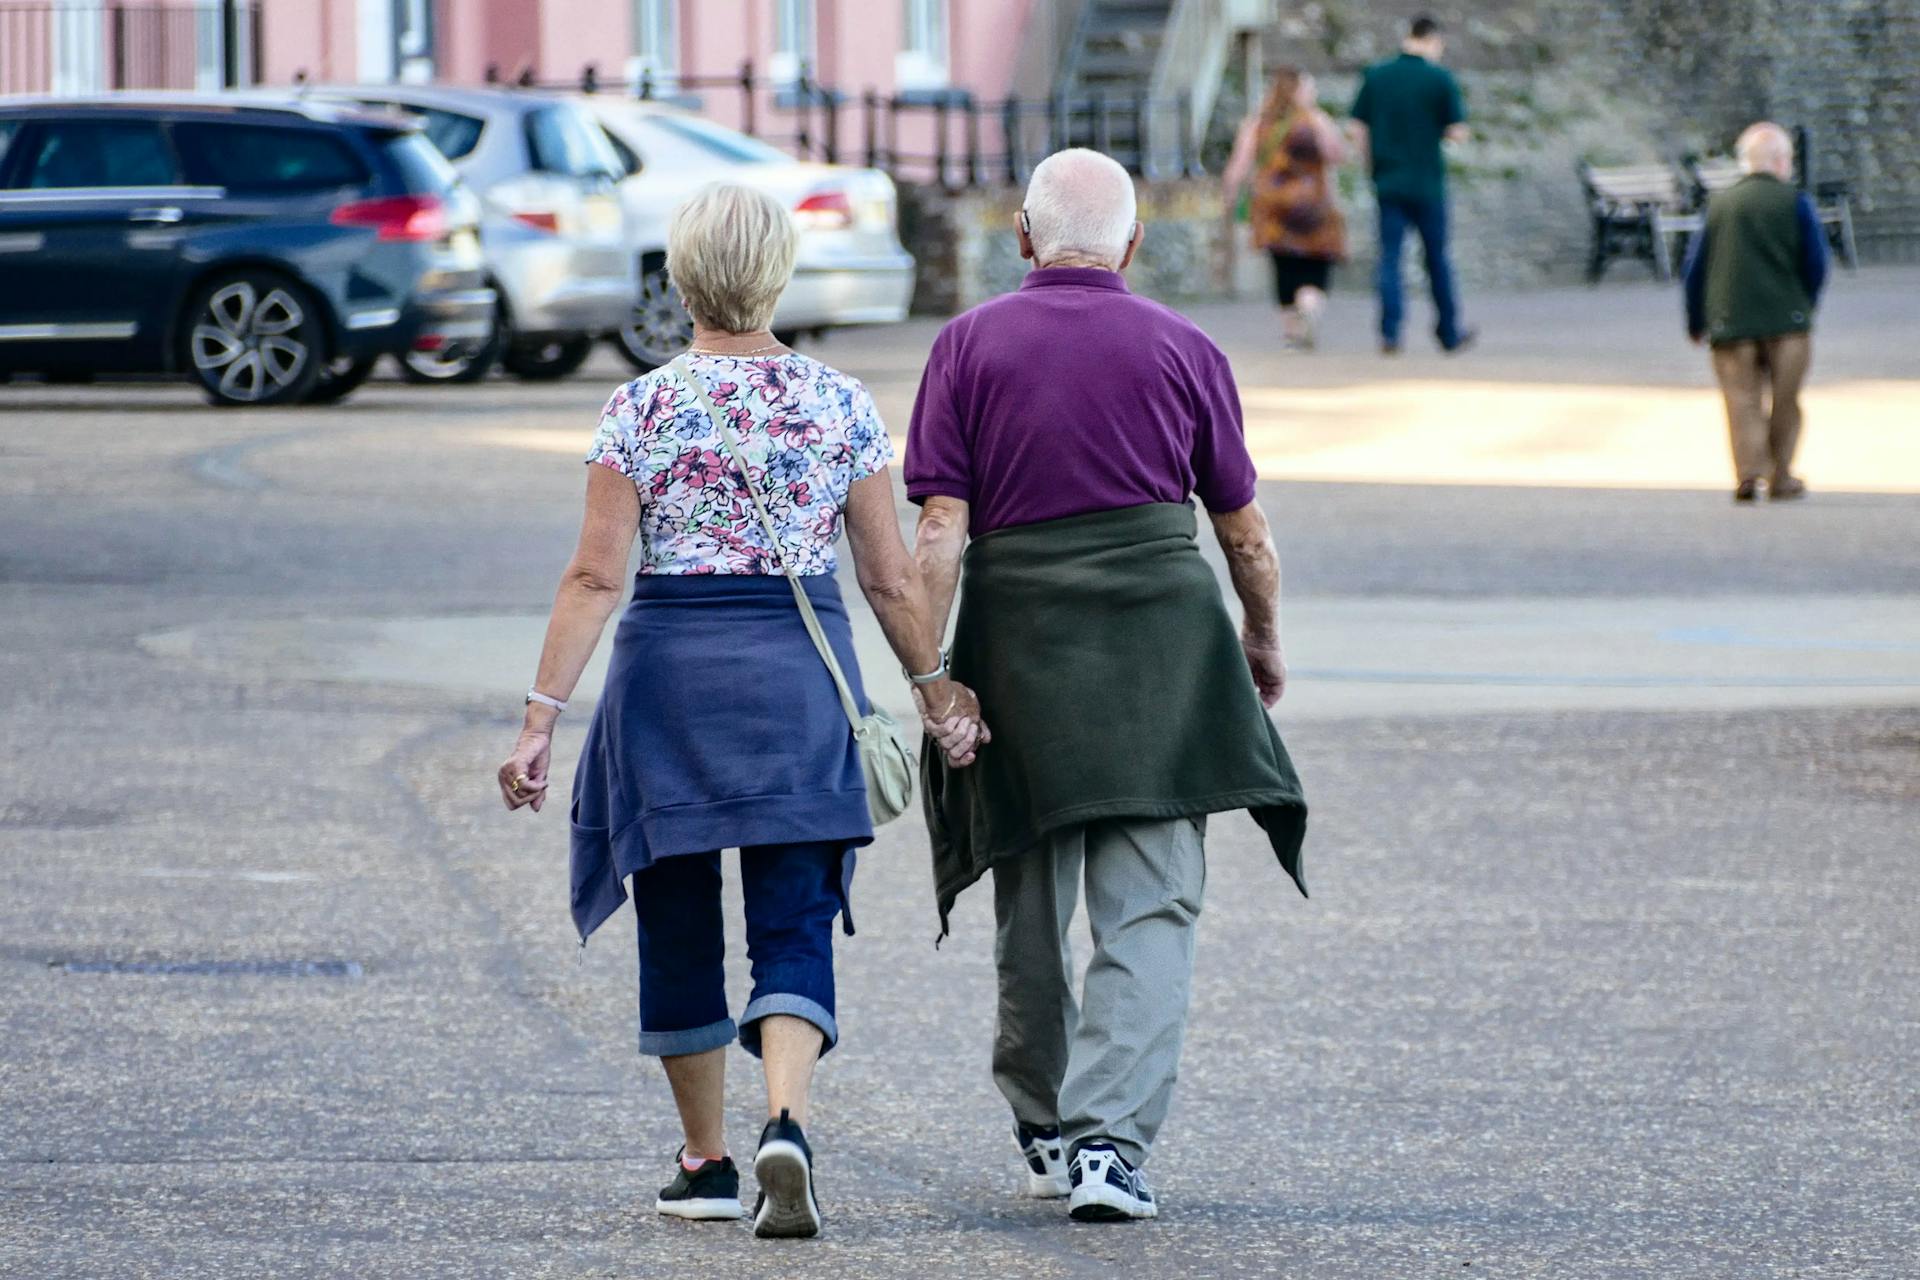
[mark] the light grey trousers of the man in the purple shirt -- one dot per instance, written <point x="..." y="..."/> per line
<point x="1101" y="1068"/>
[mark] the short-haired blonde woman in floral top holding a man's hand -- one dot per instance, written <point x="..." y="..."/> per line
<point x="721" y="726"/>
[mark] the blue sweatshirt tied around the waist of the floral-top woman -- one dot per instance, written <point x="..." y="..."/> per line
<point x="719" y="728"/>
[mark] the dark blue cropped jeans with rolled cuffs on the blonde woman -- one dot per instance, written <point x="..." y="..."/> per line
<point x="792" y="897"/>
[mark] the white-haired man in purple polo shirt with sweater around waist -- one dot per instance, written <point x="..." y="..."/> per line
<point x="1067" y="427"/>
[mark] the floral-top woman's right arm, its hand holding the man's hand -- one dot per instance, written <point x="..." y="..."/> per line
<point x="894" y="588"/>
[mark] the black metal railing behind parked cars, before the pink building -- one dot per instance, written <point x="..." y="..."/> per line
<point x="946" y="139"/>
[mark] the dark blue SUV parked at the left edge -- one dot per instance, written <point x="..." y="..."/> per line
<point x="270" y="252"/>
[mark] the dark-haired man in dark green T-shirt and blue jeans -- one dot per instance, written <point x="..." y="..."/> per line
<point x="1406" y="108"/>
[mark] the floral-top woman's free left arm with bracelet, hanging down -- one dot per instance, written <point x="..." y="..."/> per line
<point x="588" y="594"/>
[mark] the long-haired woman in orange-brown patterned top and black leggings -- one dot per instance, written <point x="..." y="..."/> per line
<point x="1289" y="153"/>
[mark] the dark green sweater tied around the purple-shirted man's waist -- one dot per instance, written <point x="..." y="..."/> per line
<point x="1116" y="688"/>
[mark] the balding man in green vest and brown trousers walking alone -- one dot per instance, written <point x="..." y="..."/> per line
<point x="1752" y="283"/>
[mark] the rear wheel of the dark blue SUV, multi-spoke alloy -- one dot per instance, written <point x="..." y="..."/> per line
<point x="254" y="339"/>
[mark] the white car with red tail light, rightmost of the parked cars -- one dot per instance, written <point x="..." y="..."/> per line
<point x="852" y="268"/>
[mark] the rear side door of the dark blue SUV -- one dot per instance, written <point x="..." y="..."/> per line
<point x="93" y="210"/>
